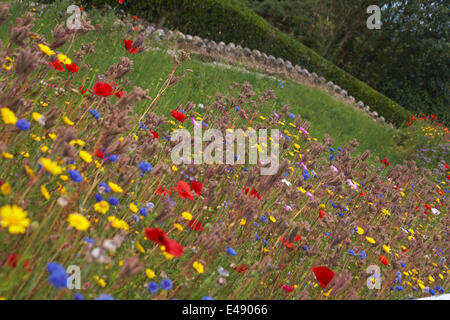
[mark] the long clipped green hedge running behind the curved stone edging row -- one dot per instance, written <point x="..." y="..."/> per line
<point x="231" y="21"/>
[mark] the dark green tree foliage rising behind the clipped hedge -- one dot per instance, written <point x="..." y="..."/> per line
<point x="408" y="59"/>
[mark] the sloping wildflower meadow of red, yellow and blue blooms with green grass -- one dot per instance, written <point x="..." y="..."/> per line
<point x="92" y="205"/>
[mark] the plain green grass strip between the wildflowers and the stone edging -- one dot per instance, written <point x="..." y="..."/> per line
<point x="326" y="114"/>
